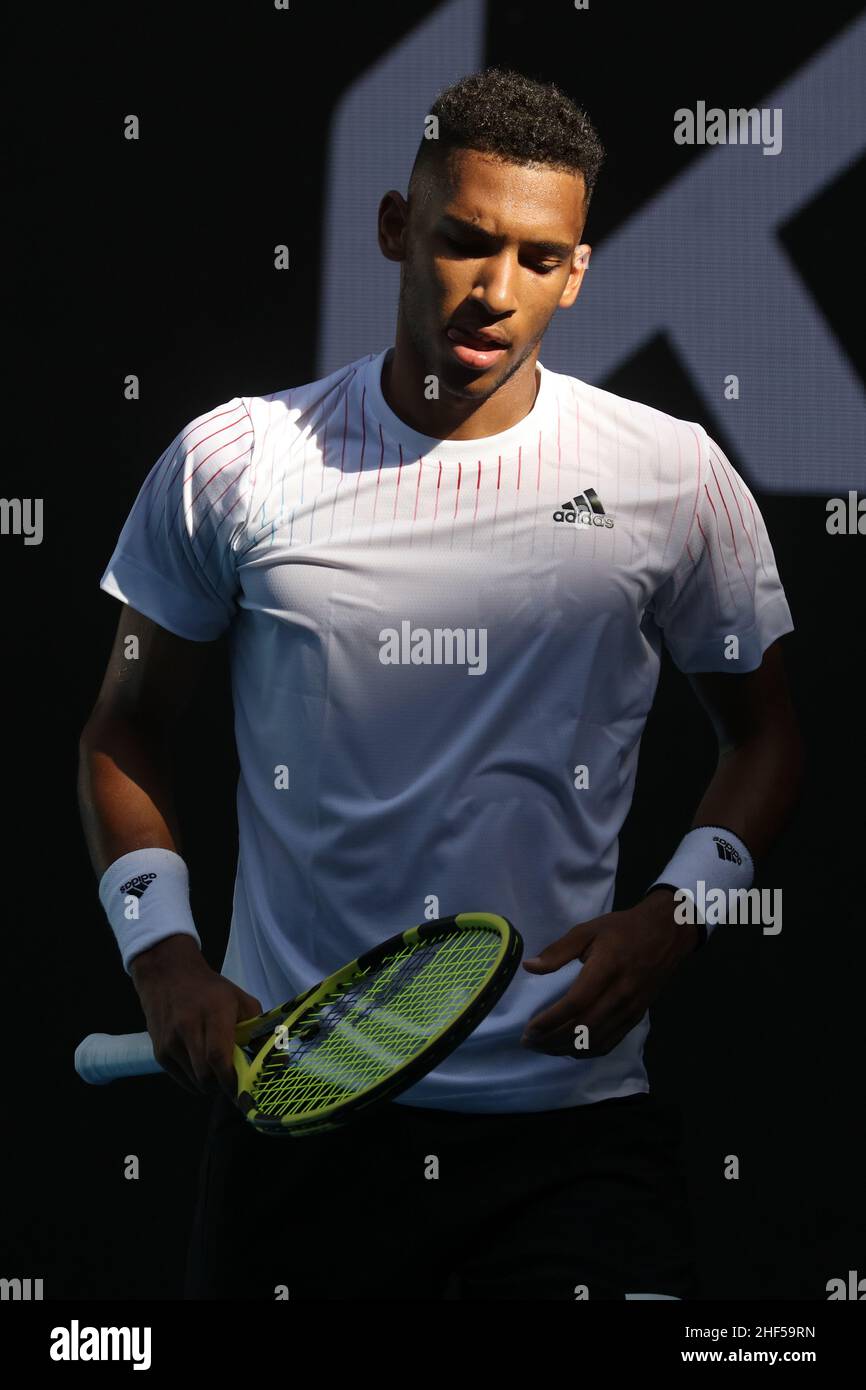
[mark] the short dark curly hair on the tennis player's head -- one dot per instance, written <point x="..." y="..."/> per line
<point x="508" y="115"/>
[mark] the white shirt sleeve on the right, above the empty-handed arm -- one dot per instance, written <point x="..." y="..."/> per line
<point x="725" y="583"/>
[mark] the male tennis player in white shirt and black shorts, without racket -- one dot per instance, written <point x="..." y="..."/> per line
<point x="447" y="575"/>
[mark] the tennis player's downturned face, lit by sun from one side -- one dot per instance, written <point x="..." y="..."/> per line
<point x="491" y="248"/>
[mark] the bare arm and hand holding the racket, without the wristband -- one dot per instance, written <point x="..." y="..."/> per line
<point x="127" y="803"/>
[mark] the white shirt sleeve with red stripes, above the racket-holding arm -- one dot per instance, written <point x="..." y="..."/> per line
<point x="176" y="557"/>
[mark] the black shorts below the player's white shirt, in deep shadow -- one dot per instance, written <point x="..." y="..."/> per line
<point x="525" y="1206"/>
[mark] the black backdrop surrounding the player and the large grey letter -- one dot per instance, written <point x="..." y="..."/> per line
<point x="156" y="258"/>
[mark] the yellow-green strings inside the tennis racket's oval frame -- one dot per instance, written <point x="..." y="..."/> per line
<point x="376" y="1022"/>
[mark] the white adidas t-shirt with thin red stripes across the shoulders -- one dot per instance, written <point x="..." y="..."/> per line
<point x="429" y="641"/>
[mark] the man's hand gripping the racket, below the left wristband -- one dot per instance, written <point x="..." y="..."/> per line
<point x="191" y="1014"/>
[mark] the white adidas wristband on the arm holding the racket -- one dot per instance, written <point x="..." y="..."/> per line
<point x="147" y="899"/>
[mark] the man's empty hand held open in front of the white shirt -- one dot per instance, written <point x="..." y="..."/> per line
<point x="628" y="960"/>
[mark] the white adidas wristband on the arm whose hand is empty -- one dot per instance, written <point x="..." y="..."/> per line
<point x="708" y="861"/>
